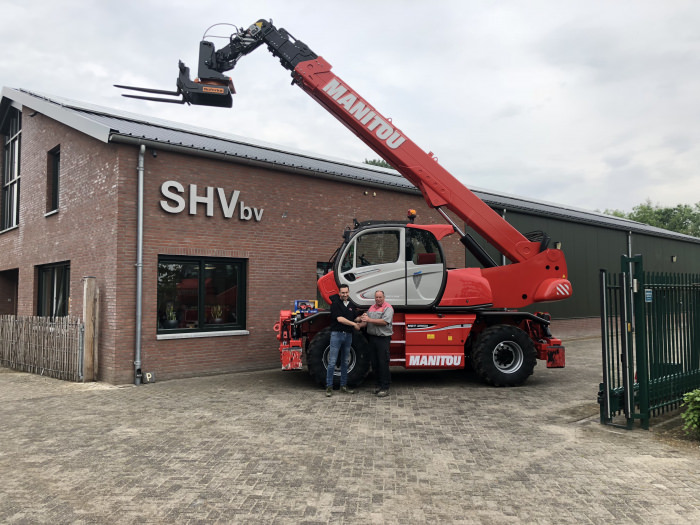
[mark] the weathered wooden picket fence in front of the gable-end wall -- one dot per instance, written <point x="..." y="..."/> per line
<point x="43" y="345"/>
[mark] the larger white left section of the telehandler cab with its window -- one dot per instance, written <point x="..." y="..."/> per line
<point x="374" y="260"/>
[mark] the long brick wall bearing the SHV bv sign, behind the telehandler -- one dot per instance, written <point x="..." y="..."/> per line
<point x="302" y="224"/>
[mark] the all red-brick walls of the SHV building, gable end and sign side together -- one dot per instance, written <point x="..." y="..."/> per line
<point x="95" y="229"/>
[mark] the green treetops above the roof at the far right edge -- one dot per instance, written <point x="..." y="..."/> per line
<point x="682" y="218"/>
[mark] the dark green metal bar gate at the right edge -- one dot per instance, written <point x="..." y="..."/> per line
<point x="650" y="328"/>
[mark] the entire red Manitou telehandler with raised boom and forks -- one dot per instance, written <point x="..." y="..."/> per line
<point x="443" y="318"/>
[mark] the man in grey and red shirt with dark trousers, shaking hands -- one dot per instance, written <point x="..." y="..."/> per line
<point x="379" y="319"/>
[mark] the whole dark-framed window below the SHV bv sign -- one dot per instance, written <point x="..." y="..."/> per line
<point x="198" y="294"/>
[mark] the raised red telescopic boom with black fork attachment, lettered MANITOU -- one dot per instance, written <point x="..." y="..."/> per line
<point x="313" y="74"/>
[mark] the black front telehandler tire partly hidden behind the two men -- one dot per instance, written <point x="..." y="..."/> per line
<point x="317" y="359"/>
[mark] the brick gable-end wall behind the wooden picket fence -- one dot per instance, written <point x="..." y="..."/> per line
<point x="83" y="231"/>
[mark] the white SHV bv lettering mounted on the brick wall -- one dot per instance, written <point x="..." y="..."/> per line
<point x="176" y="202"/>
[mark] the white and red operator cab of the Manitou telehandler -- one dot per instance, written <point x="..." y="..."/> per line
<point x="403" y="260"/>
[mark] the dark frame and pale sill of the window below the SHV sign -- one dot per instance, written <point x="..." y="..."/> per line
<point x="202" y="326"/>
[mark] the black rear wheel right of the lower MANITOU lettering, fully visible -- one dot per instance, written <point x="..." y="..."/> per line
<point x="504" y="355"/>
